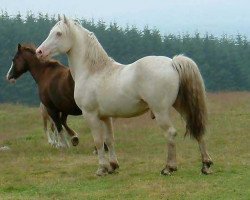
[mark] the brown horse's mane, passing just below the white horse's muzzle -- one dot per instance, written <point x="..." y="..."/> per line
<point x="31" y="48"/>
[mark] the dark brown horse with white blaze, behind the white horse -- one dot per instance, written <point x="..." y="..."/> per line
<point x="55" y="86"/>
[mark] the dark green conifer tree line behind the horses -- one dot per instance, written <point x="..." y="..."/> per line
<point x="224" y="61"/>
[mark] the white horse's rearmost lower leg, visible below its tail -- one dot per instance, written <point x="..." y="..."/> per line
<point x="206" y="159"/>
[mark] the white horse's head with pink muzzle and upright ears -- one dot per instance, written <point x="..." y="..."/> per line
<point x="58" y="41"/>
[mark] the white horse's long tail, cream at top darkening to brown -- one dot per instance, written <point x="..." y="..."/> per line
<point x="191" y="99"/>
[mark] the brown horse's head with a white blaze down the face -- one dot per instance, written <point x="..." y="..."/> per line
<point x="18" y="66"/>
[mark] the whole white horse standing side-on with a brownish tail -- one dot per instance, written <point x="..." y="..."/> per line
<point x="112" y="89"/>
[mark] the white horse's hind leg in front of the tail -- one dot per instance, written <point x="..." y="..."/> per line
<point x="165" y="123"/>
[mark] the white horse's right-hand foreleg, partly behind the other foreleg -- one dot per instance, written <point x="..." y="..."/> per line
<point x="109" y="141"/>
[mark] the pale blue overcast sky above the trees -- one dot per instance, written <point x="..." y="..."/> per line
<point x="177" y="16"/>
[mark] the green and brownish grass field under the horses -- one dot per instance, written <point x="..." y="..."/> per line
<point x="34" y="170"/>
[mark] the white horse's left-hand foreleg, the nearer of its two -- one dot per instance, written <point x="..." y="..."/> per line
<point x="97" y="127"/>
